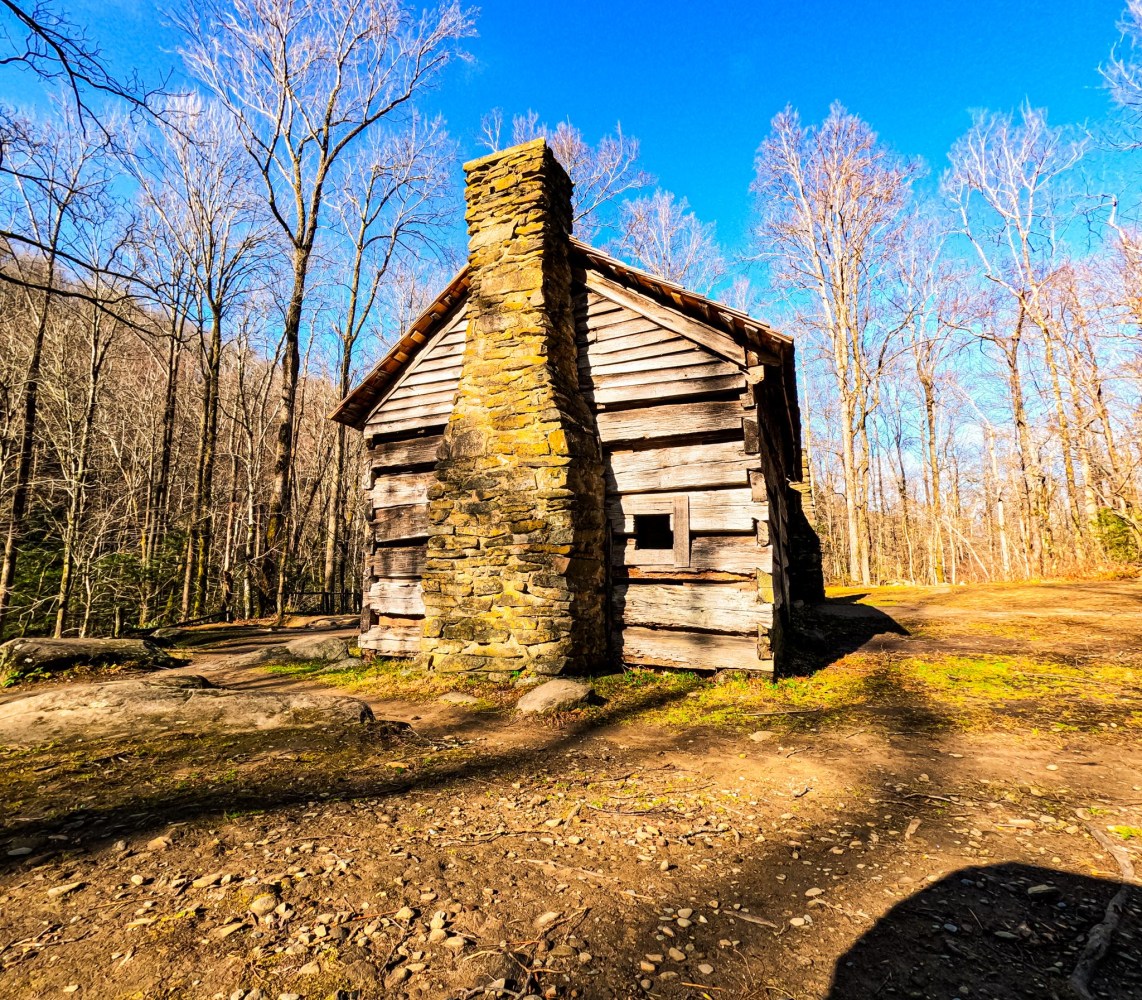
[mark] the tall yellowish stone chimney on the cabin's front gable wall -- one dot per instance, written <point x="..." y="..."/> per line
<point x="516" y="576"/>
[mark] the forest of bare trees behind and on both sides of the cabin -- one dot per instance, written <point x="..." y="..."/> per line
<point x="190" y="283"/>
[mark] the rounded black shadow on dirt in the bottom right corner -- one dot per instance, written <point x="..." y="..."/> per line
<point x="999" y="931"/>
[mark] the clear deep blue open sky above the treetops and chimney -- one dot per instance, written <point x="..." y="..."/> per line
<point x="699" y="83"/>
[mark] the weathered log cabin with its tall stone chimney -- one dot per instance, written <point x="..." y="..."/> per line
<point x="574" y="465"/>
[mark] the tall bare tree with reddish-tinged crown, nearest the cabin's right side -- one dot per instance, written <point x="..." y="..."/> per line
<point x="832" y="201"/>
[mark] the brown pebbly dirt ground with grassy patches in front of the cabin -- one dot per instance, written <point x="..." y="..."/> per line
<point x="944" y="809"/>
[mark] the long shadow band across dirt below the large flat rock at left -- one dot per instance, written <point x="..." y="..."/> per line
<point x="144" y="783"/>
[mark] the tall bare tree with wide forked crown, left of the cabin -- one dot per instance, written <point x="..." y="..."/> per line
<point x="305" y="82"/>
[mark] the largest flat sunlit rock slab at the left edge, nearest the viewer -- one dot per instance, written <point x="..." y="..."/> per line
<point x="190" y="704"/>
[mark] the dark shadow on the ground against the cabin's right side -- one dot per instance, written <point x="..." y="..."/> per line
<point x="822" y="634"/>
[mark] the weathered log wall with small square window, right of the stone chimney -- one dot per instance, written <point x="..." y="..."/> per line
<point x="680" y="439"/>
